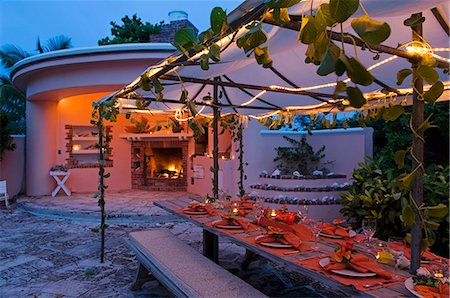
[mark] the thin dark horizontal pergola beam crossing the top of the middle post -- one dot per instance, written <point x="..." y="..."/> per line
<point x="244" y="86"/>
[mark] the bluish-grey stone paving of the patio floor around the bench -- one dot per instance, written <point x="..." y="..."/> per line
<point x="42" y="256"/>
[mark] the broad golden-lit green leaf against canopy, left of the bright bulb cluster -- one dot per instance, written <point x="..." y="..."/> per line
<point x="371" y="31"/>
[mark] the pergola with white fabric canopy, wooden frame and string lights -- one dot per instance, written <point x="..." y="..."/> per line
<point x="238" y="85"/>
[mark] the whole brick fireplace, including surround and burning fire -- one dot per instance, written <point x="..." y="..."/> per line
<point x="159" y="164"/>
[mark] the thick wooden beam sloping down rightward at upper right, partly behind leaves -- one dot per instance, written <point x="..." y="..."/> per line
<point x="348" y="39"/>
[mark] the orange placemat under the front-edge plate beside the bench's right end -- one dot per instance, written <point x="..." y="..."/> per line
<point x="357" y="282"/>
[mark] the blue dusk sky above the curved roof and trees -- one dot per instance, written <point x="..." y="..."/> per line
<point x="22" y="21"/>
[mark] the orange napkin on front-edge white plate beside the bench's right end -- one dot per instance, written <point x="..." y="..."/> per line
<point x="360" y="263"/>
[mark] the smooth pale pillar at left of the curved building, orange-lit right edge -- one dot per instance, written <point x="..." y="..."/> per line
<point x="41" y="146"/>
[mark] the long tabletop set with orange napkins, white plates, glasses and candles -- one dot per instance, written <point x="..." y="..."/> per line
<point x="334" y="249"/>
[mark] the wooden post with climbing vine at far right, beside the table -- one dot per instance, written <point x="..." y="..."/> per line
<point x="417" y="150"/>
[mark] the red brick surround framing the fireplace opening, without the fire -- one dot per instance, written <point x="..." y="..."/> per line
<point x="138" y="179"/>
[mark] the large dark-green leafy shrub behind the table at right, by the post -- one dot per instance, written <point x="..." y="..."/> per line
<point x="375" y="195"/>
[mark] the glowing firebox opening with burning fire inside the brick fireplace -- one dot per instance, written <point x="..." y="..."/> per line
<point x="163" y="163"/>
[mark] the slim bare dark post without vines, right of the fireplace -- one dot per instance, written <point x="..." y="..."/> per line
<point x="216" y="140"/>
